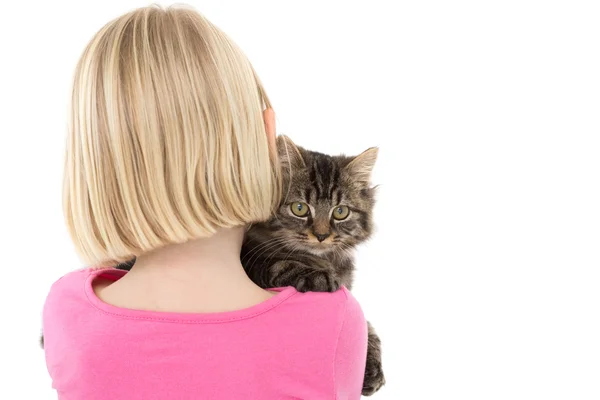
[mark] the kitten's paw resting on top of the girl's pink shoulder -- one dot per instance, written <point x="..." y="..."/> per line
<point x="303" y="277"/>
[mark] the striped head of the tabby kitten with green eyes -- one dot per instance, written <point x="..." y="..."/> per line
<point x="327" y="201"/>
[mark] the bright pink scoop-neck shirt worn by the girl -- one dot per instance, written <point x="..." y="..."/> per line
<point x="292" y="346"/>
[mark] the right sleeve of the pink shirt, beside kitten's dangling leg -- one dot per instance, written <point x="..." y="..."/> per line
<point x="351" y="351"/>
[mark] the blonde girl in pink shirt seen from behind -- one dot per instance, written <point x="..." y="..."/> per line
<point x="170" y="156"/>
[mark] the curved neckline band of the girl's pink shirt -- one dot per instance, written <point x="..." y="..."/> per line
<point x="164" y="316"/>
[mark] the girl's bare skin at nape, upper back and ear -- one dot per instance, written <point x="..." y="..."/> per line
<point x="201" y="275"/>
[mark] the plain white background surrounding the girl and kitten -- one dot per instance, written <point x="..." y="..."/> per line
<point x="483" y="279"/>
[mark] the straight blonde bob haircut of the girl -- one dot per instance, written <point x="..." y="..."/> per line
<point x="167" y="141"/>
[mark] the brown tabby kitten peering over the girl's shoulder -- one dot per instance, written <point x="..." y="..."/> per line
<point x="325" y="212"/>
